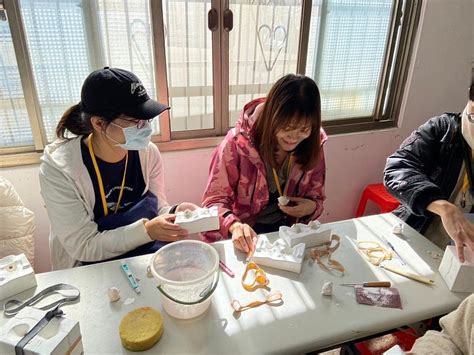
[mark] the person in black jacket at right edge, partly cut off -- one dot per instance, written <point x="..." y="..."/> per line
<point x="432" y="176"/>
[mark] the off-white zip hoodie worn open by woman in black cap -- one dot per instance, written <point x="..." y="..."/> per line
<point x="68" y="193"/>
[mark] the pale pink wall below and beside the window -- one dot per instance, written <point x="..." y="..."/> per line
<point x="437" y="82"/>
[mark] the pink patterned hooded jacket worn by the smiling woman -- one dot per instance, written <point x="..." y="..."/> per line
<point x="237" y="181"/>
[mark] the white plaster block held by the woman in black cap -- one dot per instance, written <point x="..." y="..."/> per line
<point x="199" y="220"/>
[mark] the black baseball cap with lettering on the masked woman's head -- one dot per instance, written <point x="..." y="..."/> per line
<point x="113" y="90"/>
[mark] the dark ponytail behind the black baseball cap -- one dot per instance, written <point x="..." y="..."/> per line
<point x="75" y="121"/>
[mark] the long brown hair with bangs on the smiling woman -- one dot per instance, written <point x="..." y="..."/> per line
<point x="292" y="99"/>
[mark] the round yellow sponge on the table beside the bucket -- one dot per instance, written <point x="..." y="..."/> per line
<point x="141" y="328"/>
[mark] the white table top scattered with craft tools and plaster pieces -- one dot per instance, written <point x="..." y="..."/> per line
<point x="306" y="321"/>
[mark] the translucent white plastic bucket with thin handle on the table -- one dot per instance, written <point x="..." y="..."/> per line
<point x="187" y="274"/>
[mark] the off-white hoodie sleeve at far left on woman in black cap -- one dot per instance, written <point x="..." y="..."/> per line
<point x="73" y="226"/>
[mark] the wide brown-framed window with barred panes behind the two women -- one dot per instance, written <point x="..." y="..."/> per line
<point x="206" y="59"/>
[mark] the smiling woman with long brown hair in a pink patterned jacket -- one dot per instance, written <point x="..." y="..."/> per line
<point x="275" y="150"/>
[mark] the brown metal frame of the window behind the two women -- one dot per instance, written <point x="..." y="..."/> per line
<point x="388" y="100"/>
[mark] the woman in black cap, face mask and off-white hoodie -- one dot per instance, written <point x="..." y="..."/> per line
<point x="102" y="180"/>
